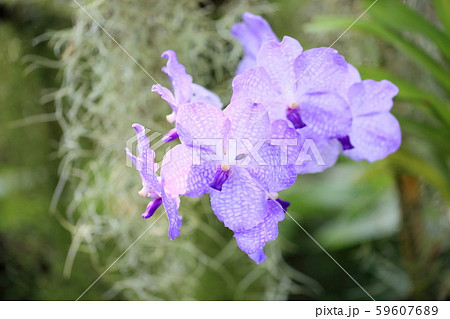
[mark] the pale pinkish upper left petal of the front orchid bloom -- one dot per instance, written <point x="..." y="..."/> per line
<point x="200" y="121"/>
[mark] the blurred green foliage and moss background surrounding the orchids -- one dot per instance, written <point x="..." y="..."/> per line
<point x="68" y="202"/>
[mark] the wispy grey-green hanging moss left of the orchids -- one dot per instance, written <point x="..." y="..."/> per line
<point x="103" y="92"/>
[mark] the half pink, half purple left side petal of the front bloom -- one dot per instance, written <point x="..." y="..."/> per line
<point x="183" y="174"/>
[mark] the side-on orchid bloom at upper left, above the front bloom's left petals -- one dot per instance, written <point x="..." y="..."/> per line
<point x="184" y="91"/>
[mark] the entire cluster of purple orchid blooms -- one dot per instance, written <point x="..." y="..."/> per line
<point x="292" y="112"/>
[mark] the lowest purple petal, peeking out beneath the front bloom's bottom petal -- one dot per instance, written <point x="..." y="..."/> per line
<point x="252" y="240"/>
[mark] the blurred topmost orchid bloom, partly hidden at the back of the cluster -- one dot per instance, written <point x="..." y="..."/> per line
<point x="252" y="33"/>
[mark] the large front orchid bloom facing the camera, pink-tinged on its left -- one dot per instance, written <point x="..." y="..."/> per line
<point x="238" y="179"/>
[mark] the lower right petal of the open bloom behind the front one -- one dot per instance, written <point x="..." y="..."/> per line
<point x="326" y="115"/>
